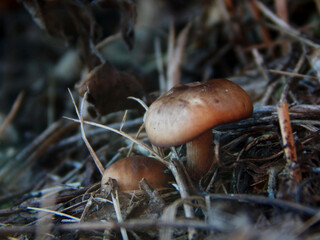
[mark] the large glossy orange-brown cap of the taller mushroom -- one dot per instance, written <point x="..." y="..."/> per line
<point x="188" y="110"/>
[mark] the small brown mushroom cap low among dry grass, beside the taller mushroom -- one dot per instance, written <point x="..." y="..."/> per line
<point x="130" y="170"/>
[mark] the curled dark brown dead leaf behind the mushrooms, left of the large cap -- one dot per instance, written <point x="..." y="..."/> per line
<point x="109" y="89"/>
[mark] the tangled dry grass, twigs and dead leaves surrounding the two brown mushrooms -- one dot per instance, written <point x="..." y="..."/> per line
<point x="114" y="56"/>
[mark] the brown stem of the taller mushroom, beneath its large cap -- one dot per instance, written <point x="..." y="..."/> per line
<point x="200" y="155"/>
